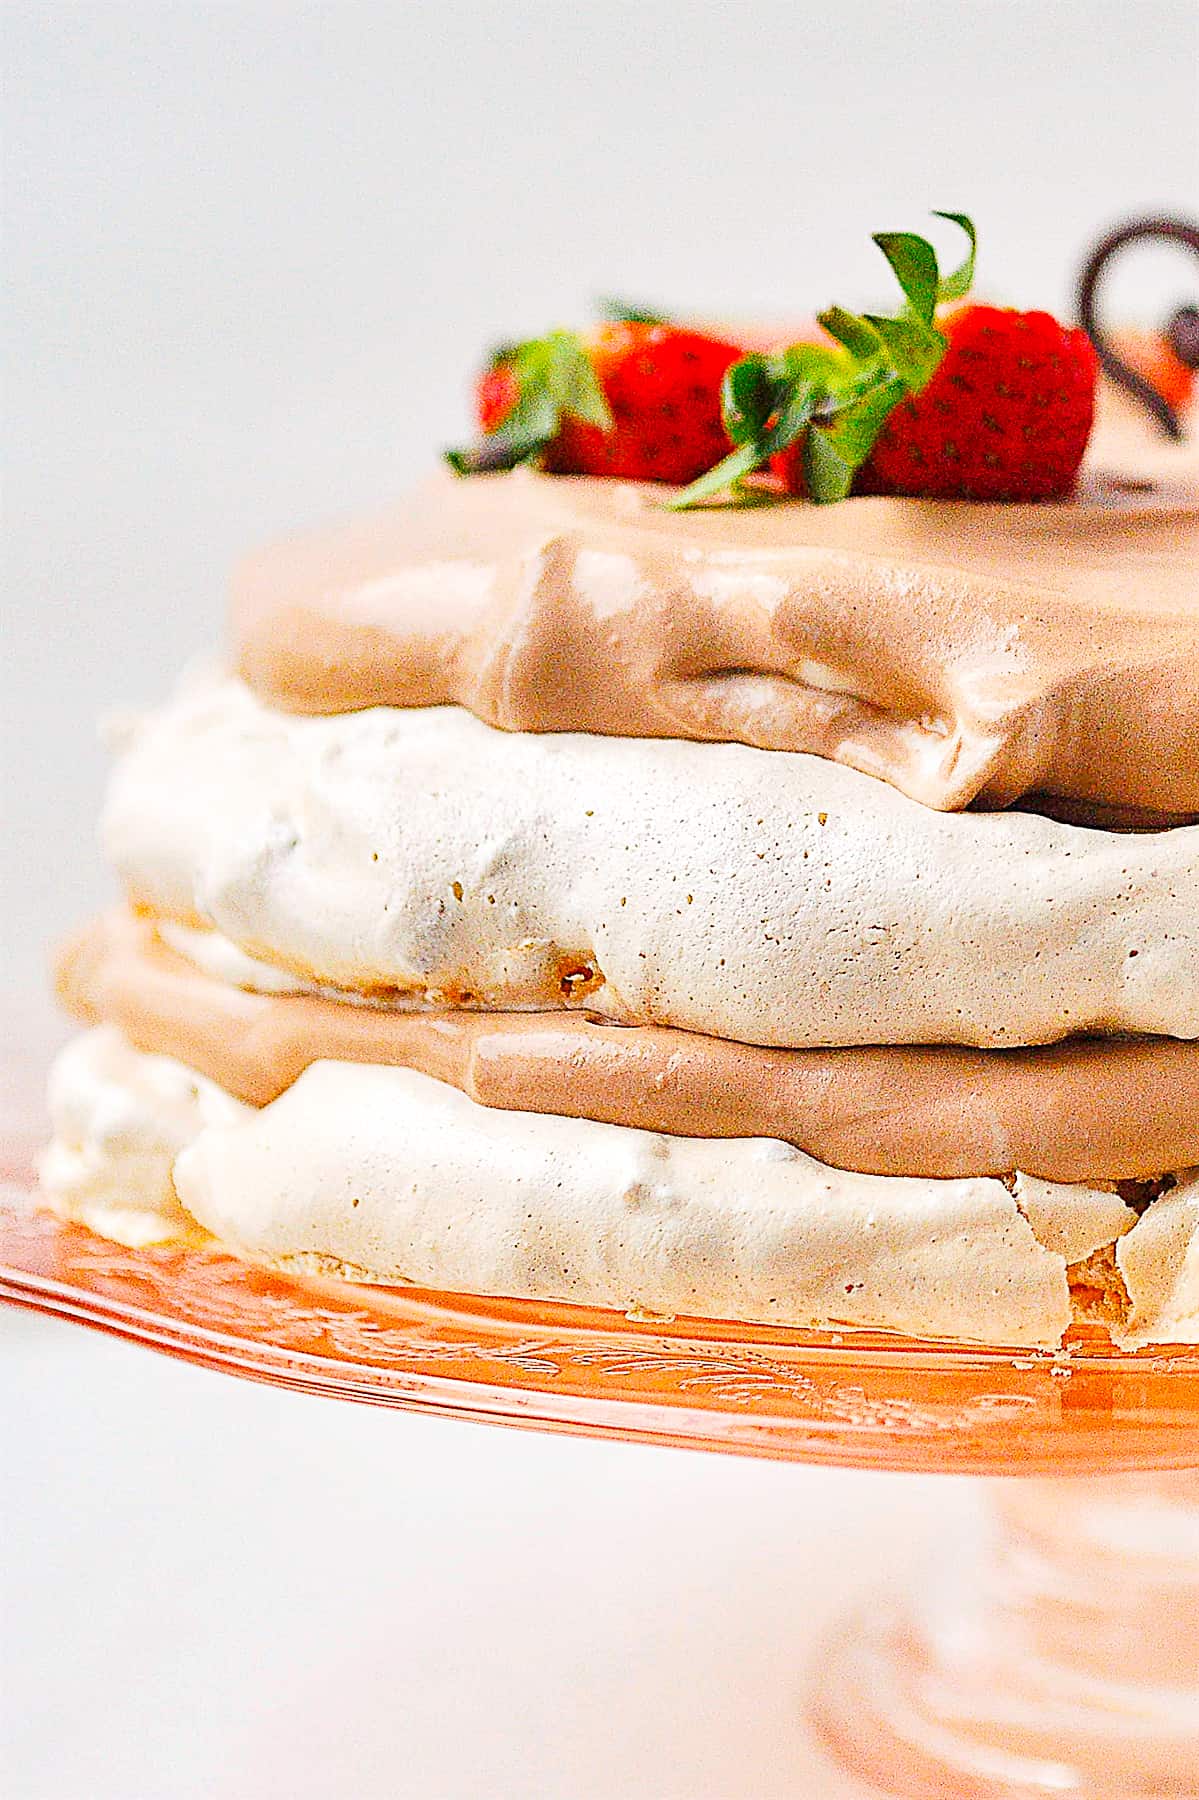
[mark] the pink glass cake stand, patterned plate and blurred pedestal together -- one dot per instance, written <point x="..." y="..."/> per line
<point x="1059" y="1659"/>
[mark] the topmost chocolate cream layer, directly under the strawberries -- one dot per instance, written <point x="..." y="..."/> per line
<point x="962" y="652"/>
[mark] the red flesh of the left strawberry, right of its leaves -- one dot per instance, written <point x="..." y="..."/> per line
<point x="663" y="388"/>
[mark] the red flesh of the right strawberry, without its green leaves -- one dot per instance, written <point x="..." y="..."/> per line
<point x="1007" y="415"/>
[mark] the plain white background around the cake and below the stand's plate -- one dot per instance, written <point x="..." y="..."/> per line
<point x="253" y="253"/>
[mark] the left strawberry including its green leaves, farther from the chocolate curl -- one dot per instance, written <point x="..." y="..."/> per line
<point x="638" y="399"/>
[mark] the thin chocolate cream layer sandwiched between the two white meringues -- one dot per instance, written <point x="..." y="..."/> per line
<point x="1076" y="1113"/>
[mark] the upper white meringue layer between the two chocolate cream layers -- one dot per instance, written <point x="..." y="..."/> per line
<point x="768" y="897"/>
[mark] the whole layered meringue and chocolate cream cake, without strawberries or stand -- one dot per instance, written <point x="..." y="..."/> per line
<point x="780" y="913"/>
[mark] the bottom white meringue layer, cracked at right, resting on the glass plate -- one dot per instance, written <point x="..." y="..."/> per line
<point x="392" y="1176"/>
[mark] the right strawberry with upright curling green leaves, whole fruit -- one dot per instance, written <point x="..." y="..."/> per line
<point x="980" y="404"/>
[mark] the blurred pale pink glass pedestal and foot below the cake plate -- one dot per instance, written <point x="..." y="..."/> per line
<point x="1058" y="1655"/>
